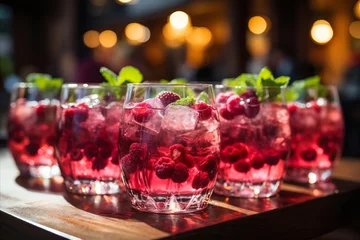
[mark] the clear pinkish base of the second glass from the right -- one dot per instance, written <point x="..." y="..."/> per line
<point x="247" y="189"/>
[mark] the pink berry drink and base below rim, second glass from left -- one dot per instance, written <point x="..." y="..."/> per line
<point x="88" y="154"/>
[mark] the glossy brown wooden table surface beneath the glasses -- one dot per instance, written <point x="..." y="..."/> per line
<point x="41" y="209"/>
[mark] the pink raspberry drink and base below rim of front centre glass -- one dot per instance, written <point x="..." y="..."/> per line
<point x="169" y="165"/>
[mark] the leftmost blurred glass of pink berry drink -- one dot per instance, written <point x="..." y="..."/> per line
<point x="32" y="131"/>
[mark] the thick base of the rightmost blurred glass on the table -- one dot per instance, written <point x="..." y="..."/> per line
<point x="308" y="175"/>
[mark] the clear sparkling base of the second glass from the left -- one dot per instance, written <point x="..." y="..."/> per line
<point x="93" y="187"/>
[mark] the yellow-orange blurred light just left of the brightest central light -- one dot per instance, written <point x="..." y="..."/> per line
<point x="137" y="33"/>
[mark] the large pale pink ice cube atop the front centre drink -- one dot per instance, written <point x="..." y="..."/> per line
<point x="179" y="118"/>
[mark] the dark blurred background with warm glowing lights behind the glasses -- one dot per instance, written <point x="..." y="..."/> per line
<point x="201" y="40"/>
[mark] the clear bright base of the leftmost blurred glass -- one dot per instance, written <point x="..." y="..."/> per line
<point x="40" y="171"/>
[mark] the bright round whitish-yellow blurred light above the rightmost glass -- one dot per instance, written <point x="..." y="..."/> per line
<point x="321" y="32"/>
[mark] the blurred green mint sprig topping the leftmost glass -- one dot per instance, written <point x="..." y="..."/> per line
<point x="48" y="86"/>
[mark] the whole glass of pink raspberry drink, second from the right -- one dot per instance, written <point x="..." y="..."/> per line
<point x="255" y="140"/>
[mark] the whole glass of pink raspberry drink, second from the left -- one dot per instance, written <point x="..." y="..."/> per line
<point x="87" y="141"/>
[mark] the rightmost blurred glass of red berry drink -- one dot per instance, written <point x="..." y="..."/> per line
<point x="316" y="135"/>
